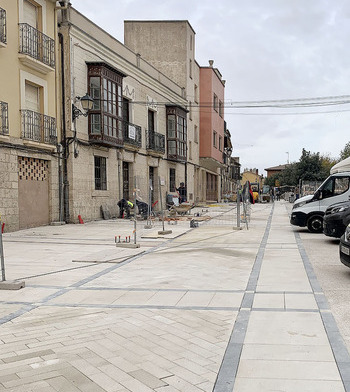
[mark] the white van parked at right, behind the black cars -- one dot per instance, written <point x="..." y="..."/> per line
<point x="309" y="210"/>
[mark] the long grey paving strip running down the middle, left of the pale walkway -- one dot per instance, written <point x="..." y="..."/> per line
<point x="227" y="374"/>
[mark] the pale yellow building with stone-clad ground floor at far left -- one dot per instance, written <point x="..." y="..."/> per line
<point x="29" y="114"/>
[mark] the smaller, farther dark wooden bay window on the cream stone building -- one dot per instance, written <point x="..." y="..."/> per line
<point x="177" y="133"/>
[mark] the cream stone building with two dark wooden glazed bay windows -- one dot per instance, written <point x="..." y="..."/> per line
<point x="136" y="132"/>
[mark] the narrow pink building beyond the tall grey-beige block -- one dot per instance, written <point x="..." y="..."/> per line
<point x="212" y="127"/>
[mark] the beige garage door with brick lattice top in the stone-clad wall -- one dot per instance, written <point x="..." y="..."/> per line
<point x="33" y="192"/>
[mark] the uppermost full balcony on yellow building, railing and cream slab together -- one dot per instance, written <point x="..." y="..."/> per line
<point x="36" y="49"/>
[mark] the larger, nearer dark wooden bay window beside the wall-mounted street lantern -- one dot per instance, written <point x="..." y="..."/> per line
<point x="105" y="87"/>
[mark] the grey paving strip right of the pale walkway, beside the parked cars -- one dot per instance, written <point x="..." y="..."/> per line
<point x="336" y="341"/>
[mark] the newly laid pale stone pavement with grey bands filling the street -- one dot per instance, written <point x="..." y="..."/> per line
<point x="210" y="308"/>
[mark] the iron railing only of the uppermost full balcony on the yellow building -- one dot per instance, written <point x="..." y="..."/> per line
<point x="36" y="44"/>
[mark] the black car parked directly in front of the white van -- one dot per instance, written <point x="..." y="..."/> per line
<point x="336" y="218"/>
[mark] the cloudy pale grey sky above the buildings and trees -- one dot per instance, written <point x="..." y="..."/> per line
<point x="265" y="50"/>
